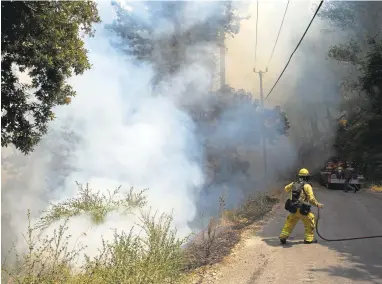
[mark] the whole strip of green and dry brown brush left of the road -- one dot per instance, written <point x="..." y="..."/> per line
<point x="155" y="255"/>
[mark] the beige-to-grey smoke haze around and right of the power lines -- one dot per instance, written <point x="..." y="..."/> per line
<point x="308" y="90"/>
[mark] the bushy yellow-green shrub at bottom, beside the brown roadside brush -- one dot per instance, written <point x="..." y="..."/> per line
<point x="155" y="258"/>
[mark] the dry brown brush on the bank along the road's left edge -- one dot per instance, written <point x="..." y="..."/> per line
<point x="221" y="238"/>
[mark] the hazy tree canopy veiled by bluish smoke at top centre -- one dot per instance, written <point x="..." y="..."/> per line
<point x="161" y="32"/>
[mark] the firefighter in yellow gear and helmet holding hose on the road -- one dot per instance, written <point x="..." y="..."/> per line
<point x="298" y="205"/>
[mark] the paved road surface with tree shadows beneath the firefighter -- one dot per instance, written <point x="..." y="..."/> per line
<point x="261" y="259"/>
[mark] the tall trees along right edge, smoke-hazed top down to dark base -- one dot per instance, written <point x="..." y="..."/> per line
<point x="360" y="126"/>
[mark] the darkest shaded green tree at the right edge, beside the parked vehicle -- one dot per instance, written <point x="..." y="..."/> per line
<point x="360" y="138"/>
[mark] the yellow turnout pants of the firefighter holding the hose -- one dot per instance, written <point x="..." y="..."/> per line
<point x="292" y="220"/>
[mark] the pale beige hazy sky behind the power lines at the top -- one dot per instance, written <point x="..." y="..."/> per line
<point x="240" y="56"/>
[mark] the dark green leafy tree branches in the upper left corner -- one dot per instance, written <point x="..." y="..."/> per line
<point x="45" y="40"/>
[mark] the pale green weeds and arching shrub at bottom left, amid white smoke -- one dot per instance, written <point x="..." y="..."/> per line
<point x="153" y="256"/>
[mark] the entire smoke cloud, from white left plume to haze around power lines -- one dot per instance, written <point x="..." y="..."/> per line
<point x="121" y="131"/>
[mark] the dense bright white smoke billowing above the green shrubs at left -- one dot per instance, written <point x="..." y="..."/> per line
<point x="126" y="136"/>
